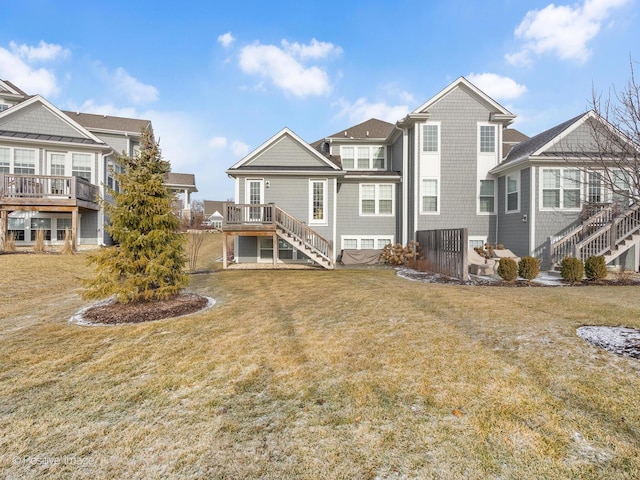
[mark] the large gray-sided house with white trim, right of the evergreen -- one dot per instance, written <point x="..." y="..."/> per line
<point x="451" y="163"/>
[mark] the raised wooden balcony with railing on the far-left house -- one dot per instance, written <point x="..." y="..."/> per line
<point x="20" y="191"/>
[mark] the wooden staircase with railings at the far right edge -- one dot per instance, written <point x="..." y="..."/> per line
<point x="609" y="232"/>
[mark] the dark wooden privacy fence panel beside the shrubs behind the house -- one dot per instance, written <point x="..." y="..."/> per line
<point x="446" y="251"/>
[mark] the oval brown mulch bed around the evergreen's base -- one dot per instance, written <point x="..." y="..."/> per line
<point x="138" y="312"/>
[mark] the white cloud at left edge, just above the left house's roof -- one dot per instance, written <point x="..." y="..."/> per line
<point x="33" y="81"/>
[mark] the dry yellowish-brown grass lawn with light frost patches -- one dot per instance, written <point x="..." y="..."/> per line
<point x="315" y="374"/>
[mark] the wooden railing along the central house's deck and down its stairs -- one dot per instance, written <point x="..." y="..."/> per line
<point x="272" y="215"/>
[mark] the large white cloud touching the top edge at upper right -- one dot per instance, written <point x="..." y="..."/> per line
<point x="563" y="30"/>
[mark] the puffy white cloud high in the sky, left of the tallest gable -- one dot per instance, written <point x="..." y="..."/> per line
<point x="282" y="66"/>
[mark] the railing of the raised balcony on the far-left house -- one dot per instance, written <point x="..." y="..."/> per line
<point x="19" y="186"/>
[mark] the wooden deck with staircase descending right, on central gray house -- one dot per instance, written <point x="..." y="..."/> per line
<point x="261" y="219"/>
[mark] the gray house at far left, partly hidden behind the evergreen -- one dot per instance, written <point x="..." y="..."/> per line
<point x="54" y="166"/>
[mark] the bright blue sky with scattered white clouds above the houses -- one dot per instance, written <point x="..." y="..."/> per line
<point x="218" y="79"/>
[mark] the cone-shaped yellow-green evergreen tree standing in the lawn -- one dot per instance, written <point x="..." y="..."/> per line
<point x="148" y="258"/>
